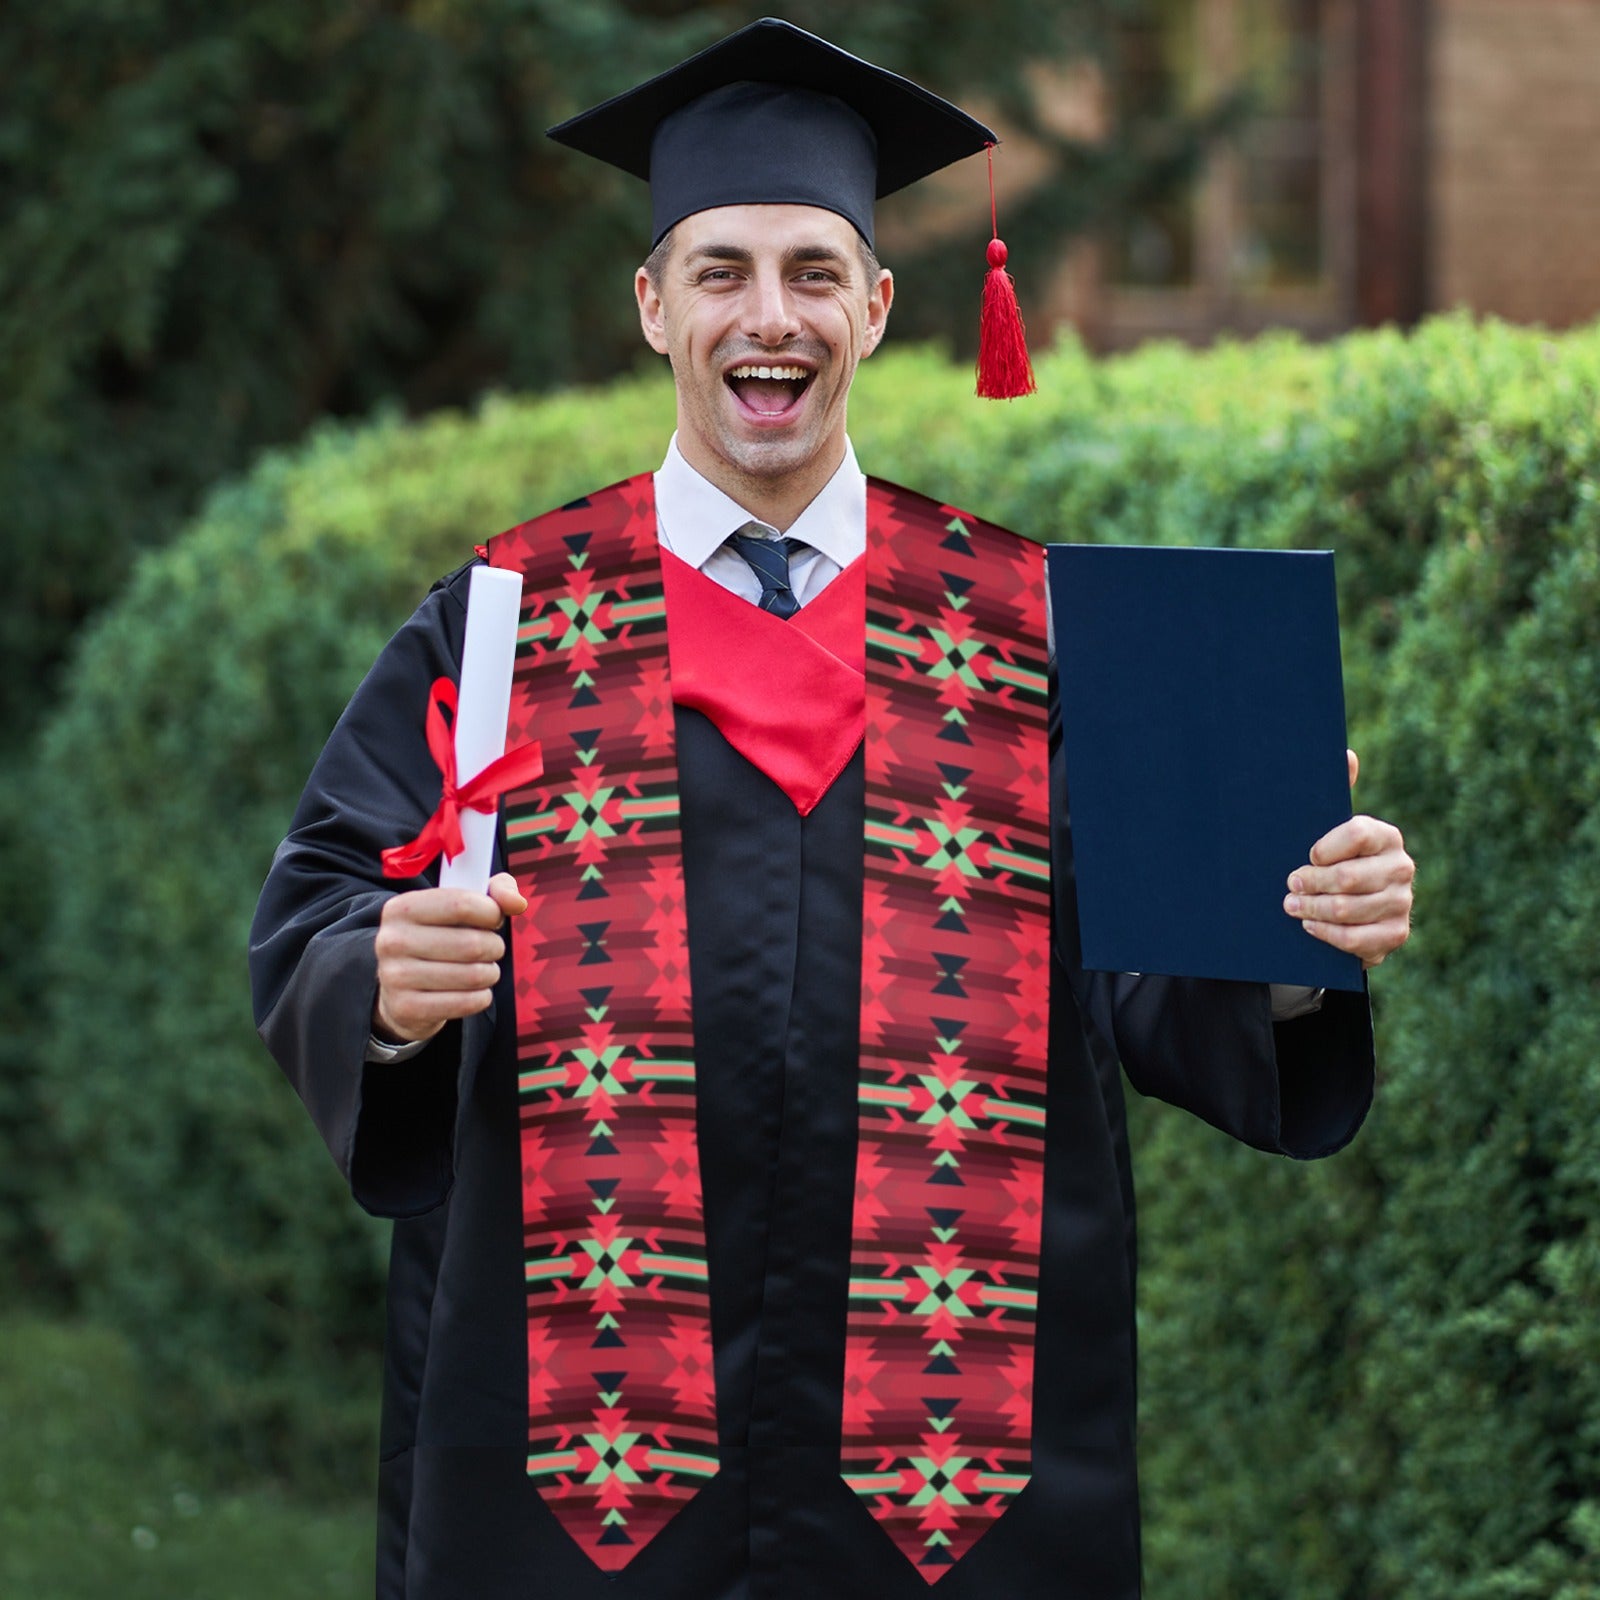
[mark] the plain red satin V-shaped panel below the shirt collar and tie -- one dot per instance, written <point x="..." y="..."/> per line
<point x="788" y="695"/>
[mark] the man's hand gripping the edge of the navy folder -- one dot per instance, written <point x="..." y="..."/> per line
<point x="1356" y="890"/>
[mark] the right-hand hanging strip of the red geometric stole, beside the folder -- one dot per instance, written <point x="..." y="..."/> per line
<point x="954" y="1028"/>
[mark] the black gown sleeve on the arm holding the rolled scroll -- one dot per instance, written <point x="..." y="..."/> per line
<point x="313" y="959"/>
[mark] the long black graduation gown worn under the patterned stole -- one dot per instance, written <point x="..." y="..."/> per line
<point x="775" y="930"/>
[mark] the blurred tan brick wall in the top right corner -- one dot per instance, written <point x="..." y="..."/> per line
<point x="1516" y="159"/>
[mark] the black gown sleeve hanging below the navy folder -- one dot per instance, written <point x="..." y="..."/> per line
<point x="1298" y="1089"/>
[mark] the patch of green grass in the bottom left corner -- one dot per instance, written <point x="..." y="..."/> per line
<point x="95" y="1505"/>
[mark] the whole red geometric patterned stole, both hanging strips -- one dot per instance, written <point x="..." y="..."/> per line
<point x="945" y="1273"/>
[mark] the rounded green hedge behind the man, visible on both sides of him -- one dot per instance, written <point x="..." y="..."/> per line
<point x="1370" y="1378"/>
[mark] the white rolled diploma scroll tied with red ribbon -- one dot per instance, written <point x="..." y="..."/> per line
<point x="494" y="609"/>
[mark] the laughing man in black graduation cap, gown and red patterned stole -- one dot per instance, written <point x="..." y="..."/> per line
<point x="745" y="1244"/>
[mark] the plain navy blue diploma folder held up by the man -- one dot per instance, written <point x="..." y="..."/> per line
<point x="1202" y="716"/>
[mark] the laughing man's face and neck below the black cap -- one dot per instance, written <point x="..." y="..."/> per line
<point x="764" y="313"/>
